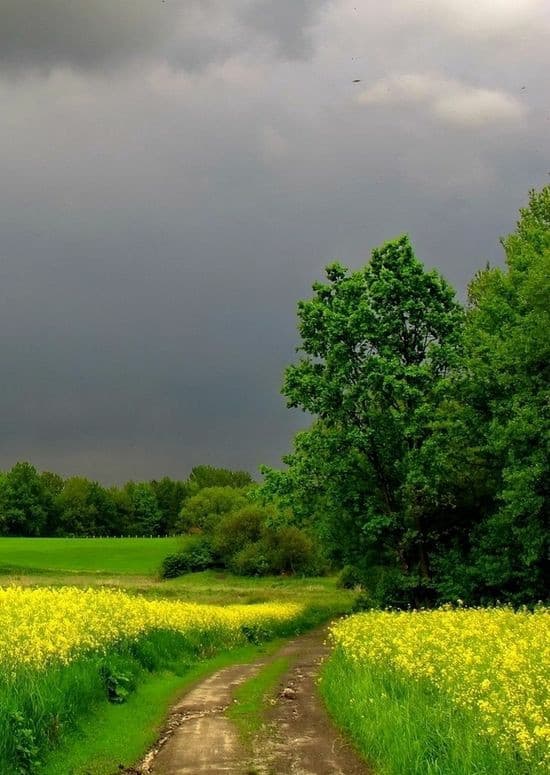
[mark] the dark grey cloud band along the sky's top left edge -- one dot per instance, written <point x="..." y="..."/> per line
<point x="107" y="33"/>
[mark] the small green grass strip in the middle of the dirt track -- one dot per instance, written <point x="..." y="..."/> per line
<point x="252" y="697"/>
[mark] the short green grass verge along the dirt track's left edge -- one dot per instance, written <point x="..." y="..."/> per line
<point x="122" y="734"/>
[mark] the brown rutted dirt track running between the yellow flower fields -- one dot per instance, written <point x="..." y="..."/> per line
<point x="297" y="737"/>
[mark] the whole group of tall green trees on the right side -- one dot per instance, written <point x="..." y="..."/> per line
<point x="426" y="470"/>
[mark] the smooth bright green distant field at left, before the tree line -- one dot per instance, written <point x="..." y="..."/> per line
<point x="119" y="556"/>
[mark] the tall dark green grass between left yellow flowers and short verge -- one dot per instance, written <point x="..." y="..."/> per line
<point x="39" y="707"/>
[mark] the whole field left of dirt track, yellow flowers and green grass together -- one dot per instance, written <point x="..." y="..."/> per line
<point x="96" y="647"/>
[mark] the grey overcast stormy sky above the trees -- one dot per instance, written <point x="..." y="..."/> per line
<point x="174" y="174"/>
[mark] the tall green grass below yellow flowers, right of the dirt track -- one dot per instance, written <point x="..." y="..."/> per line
<point x="408" y="727"/>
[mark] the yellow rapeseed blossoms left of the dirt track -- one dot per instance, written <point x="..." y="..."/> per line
<point x="43" y="626"/>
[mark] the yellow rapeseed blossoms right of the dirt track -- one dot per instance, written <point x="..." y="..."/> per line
<point x="494" y="663"/>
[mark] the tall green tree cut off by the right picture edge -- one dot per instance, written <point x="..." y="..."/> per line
<point x="507" y="383"/>
